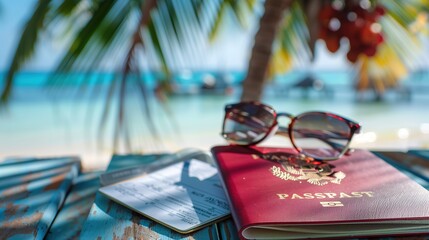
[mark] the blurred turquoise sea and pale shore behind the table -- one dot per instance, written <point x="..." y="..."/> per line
<point x="46" y="121"/>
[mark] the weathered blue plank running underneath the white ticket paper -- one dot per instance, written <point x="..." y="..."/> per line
<point x="109" y="220"/>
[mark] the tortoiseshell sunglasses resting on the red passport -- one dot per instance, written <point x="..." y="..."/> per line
<point x="318" y="135"/>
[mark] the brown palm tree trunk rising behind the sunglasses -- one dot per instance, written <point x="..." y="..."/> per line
<point x="253" y="84"/>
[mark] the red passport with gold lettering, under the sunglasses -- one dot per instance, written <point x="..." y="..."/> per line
<point x="275" y="195"/>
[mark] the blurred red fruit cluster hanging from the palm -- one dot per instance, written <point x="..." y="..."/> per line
<point x="355" y="22"/>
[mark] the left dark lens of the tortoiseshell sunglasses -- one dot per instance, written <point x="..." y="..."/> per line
<point x="247" y="123"/>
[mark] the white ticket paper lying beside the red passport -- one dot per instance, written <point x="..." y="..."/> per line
<point x="182" y="196"/>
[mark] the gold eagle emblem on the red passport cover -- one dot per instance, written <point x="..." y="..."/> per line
<point x="298" y="168"/>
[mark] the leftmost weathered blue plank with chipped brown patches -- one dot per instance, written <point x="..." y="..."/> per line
<point x="31" y="192"/>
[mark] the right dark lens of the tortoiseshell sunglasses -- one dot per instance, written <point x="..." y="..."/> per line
<point x="320" y="136"/>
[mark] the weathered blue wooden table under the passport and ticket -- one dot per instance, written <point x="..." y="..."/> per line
<point x="53" y="199"/>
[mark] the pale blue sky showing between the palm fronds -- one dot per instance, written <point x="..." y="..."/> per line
<point x="225" y="53"/>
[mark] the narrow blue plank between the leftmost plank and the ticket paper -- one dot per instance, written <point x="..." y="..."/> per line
<point x="69" y="221"/>
